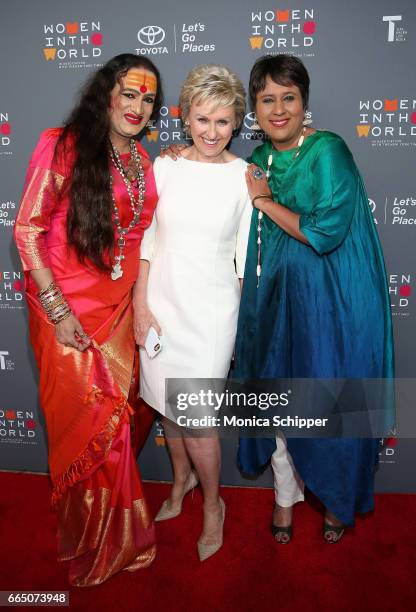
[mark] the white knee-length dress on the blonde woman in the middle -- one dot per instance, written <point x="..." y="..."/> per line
<point x="196" y="246"/>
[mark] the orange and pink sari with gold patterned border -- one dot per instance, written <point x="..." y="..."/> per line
<point x="103" y="521"/>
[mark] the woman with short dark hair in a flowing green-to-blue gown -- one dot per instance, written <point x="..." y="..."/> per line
<point x="315" y="299"/>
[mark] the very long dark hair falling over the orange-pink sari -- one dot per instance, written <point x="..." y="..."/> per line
<point x="89" y="221"/>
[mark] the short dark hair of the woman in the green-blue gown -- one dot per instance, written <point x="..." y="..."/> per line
<point x="283" y="70"/>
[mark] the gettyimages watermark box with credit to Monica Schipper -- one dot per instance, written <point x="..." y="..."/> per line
<point x="323" y="408"/>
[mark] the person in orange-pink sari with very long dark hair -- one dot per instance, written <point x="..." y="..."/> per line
<point x="88" y="197"/>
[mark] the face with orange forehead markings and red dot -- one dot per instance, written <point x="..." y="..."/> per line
<point x="132" y="103"/>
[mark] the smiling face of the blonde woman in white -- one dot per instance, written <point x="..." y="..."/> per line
<point x="211" y="130"/>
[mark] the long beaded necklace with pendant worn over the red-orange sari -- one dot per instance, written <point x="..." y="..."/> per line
<point x="134" y="172"/>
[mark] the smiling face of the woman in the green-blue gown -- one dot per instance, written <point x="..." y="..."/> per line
<point x="280" y="113"/>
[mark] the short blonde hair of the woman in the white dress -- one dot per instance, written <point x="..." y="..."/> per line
<point x="213" y="83"/>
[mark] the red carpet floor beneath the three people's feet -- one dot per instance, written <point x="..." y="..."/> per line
<point x="373" y="568"/>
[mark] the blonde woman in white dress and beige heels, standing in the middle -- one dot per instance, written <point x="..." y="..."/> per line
<point x="192" y="258"/>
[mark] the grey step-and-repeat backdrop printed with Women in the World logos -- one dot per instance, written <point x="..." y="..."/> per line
<point x="360" y="56"/>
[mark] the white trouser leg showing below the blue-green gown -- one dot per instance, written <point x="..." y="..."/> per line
<point x="288" y="486"/>
